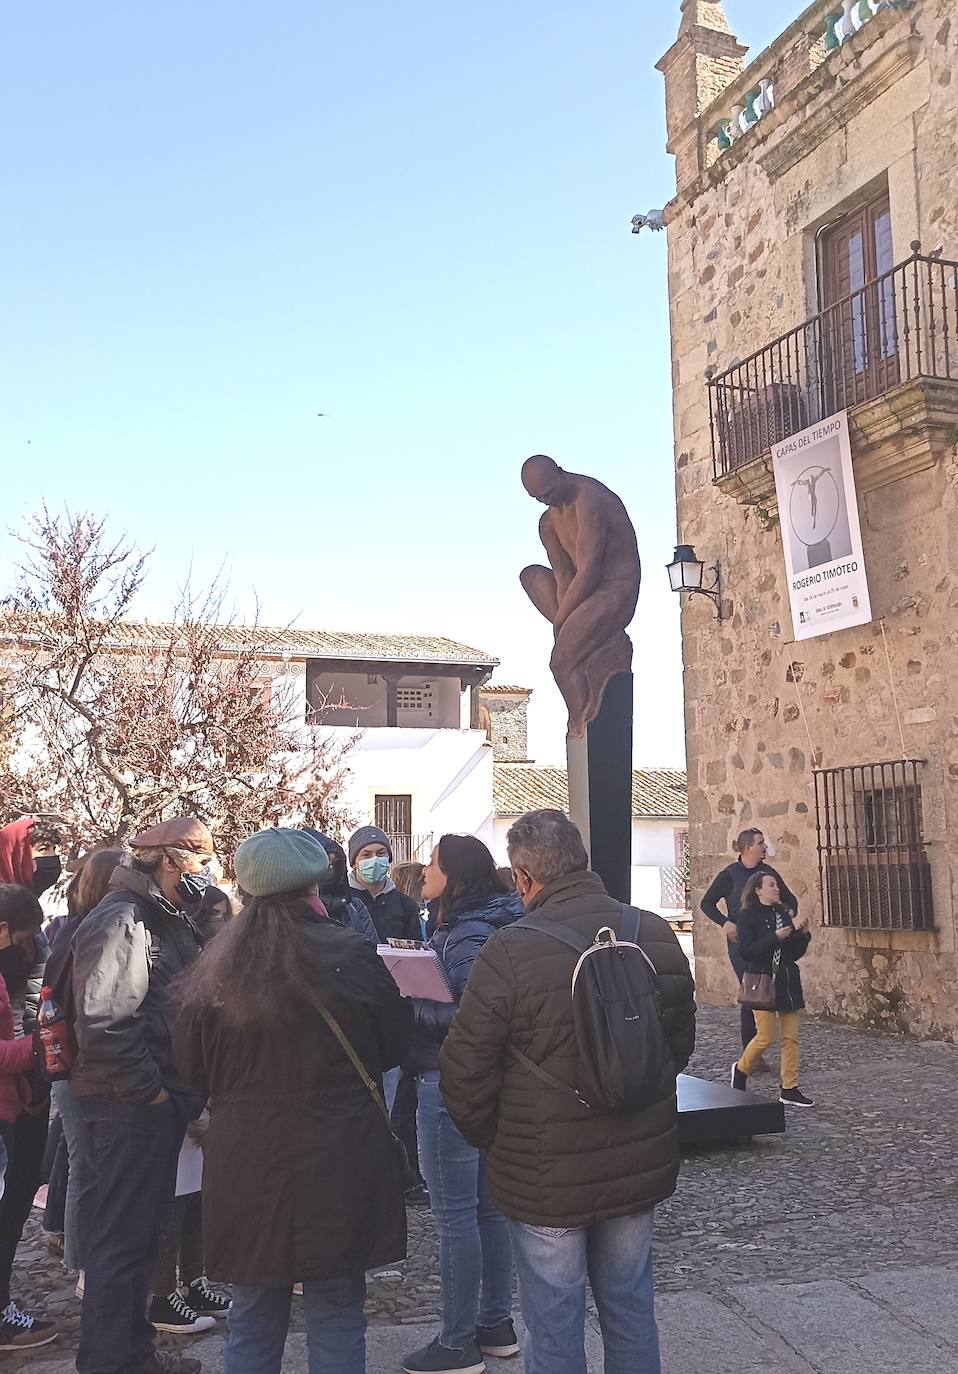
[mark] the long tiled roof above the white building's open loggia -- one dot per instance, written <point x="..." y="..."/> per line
<point x="273" y="641"/>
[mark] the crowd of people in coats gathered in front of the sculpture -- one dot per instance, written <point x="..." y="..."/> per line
<point x="267" y="1031"/>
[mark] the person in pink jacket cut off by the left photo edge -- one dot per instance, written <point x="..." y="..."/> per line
<point x="20" y="925"/>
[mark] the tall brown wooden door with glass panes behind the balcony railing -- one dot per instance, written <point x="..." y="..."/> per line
<point x="860" y="329"/>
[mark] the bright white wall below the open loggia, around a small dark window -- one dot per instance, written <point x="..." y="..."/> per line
<point x="447" y="773"/>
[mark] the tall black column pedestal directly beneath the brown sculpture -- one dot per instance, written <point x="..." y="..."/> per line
<point x="601" y="788"/>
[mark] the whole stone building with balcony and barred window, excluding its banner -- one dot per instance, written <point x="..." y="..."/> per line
<point x="813" y="245"/>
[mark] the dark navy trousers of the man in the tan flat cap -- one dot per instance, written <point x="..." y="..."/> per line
<point x="135" y="1152"/>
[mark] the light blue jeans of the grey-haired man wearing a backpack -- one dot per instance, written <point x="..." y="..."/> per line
<point x="553" y="1268"/>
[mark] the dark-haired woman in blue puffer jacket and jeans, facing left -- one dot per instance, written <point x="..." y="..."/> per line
<point x="476" y="1255"/>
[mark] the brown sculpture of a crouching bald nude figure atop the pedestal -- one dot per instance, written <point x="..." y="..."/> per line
<point x="593" y="587"/>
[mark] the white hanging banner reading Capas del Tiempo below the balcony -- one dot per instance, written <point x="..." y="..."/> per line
<point x="821" y="532"/>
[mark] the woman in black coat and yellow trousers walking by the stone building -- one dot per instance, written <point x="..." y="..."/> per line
<point x="772" y="941"/>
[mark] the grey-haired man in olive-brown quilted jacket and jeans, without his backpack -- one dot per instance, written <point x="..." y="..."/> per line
<point x="579" y="1188"/>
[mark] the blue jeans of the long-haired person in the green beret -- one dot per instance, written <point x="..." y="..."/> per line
<point x="336" y="1328"/>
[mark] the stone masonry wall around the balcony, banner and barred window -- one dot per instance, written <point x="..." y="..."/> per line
<point x="764" y="712"/>
